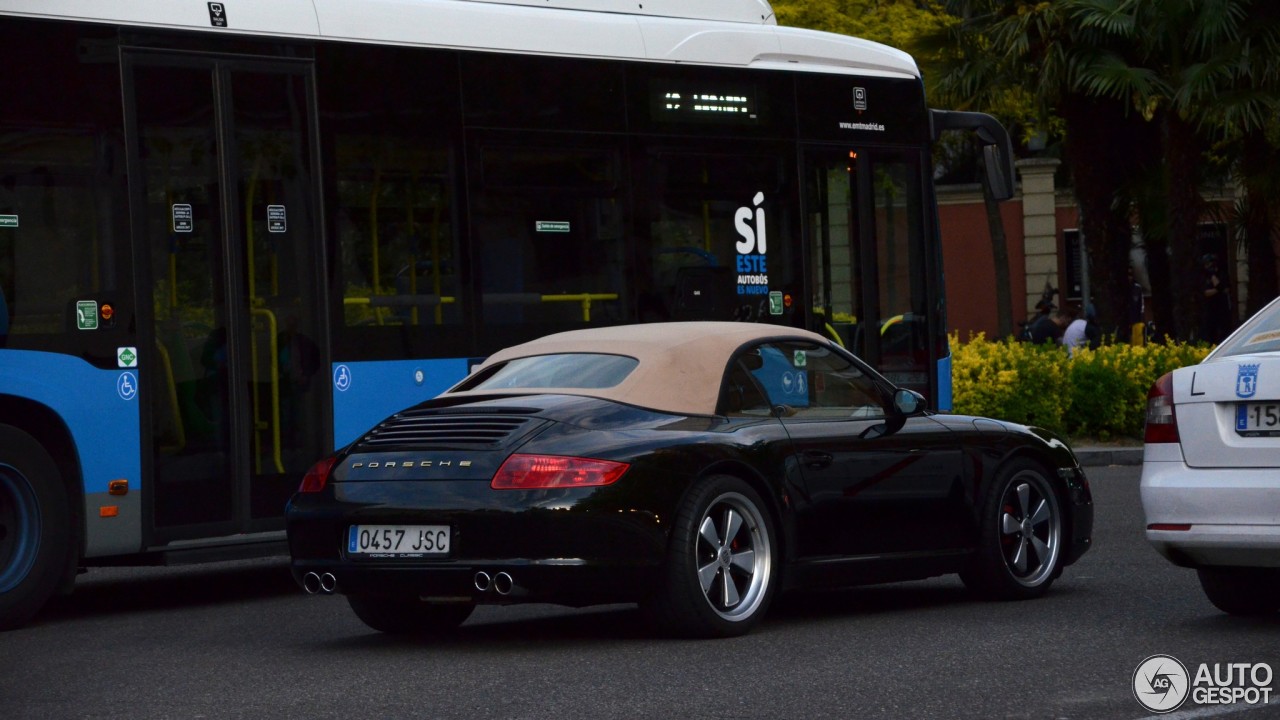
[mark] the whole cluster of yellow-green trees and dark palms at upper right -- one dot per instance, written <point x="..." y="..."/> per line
<point x="1150" y="102"/>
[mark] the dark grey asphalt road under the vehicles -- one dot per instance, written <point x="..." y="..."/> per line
<point x="241" y="641"/>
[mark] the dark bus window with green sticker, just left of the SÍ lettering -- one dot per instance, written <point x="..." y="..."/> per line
<point x="548" y="225"/>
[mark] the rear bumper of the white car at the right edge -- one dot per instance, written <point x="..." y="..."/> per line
<point x="1233" y="513"/>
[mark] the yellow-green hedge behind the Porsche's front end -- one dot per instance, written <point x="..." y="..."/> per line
<point x="1100" y="394"/>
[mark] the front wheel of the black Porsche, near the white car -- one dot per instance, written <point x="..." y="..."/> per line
<point x="1021" y="537"/>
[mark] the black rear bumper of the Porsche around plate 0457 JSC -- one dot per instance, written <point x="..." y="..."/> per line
<point x="572" y="548"/>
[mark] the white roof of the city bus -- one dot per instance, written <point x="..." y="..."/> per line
<point x="714" y="33"/>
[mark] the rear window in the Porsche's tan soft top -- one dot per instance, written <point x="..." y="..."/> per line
<point x="579" y="371"/>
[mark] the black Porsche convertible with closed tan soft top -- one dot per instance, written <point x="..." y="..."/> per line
<point x="697" y="470"/>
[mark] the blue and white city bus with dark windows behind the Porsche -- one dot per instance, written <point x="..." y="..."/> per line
<point x="235" y="235"/>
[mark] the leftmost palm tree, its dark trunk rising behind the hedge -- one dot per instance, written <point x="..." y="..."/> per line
<point x="1028" y="58"/>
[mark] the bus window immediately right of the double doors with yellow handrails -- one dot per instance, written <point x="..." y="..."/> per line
<point x="391" y="199"/>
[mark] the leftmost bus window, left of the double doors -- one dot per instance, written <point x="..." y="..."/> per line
<point x="62" y="177"/>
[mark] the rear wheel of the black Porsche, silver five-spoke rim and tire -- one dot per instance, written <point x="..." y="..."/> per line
<point x="721" y="566"/>
